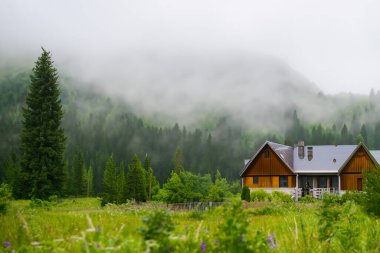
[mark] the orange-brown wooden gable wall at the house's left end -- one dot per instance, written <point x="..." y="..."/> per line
<point x="268" y="169"/>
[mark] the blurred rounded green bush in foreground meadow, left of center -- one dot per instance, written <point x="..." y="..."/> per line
<point x="157" y="226"/>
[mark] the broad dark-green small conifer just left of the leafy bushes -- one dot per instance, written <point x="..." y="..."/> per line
<point x="136" y="181"/>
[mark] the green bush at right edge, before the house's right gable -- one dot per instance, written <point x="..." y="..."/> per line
<point x="372" y="188"/>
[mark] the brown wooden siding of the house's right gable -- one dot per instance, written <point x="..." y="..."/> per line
<point x="359" y="162"/>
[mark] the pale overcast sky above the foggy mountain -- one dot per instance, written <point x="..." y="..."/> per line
<point x="335" y="44"/>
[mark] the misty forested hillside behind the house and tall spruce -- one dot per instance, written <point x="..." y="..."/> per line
<point x="98" y="125"/>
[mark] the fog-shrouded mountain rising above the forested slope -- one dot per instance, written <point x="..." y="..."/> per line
<point x="253" y="91"/>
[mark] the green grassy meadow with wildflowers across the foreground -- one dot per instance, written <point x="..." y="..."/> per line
<point x="81" y="225"/>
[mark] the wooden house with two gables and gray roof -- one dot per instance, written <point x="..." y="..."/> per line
<point x="309" y="169"/>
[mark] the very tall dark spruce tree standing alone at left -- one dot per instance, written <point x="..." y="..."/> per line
<point x="42" y="137"/>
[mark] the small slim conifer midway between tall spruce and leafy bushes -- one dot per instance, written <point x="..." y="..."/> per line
<point x="110" y="182"/>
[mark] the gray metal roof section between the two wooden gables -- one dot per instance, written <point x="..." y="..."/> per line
<point x="326" y="158"/>
